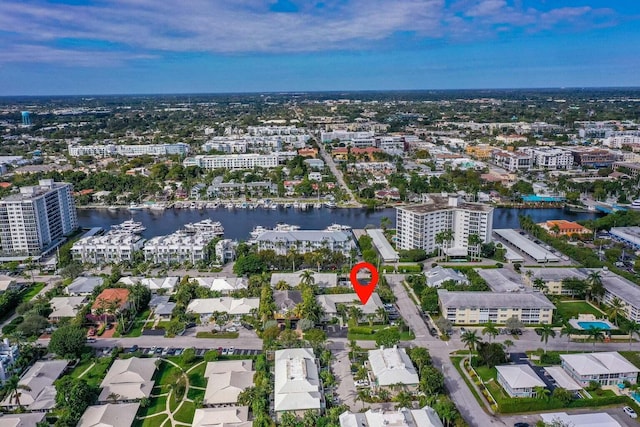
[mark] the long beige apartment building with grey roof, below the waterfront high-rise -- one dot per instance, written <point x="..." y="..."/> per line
<point x="469" y="308"/>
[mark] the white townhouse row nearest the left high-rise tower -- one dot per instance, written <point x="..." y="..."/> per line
<point x="112" y="247"/>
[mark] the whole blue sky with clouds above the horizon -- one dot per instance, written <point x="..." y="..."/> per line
<point x="188" y="46"/>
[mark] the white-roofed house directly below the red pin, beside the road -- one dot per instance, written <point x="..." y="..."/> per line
<point x="392" y="366"/>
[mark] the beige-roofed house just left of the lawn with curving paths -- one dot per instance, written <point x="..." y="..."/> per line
<point x="129" y="378"/>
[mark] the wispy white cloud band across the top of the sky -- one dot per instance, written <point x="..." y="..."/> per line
<point x="246" y="26"/>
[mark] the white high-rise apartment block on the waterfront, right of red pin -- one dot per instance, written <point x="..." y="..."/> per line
<point x="418" y="225"/>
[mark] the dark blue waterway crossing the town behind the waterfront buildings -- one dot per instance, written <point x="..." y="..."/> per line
<point x="239" y="222"/>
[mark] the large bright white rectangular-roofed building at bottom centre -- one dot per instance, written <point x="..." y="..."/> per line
<point x="297" y="384"/>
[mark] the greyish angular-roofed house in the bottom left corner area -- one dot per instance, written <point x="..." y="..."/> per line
<point x="39" y="378"/>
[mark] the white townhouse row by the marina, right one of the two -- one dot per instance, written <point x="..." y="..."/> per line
<point x="178" y="247"/>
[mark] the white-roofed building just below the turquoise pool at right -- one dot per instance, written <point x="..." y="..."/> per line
<point x="607" y="368"/>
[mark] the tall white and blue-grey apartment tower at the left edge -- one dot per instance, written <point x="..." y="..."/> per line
<point x="36" y="219"/>
